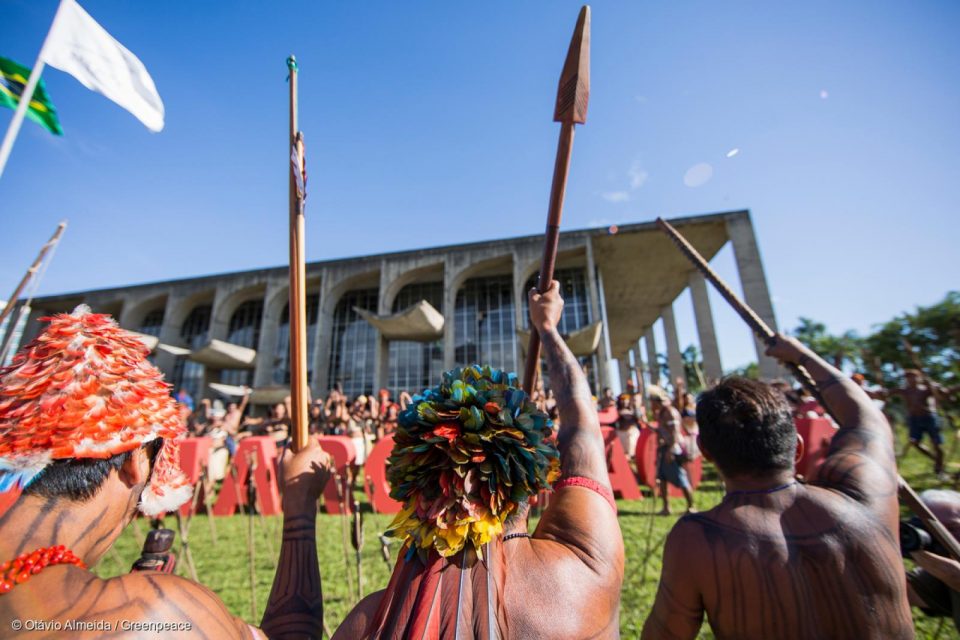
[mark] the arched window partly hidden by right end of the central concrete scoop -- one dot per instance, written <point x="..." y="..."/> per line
<point x="414" y="366"/>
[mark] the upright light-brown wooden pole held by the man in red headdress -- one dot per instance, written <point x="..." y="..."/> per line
<point x="298" y="275"/>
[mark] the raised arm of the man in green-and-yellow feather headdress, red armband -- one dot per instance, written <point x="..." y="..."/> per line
<point x="578" y="517"/>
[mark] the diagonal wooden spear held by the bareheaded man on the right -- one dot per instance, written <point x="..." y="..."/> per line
<point x="907" y="494"/>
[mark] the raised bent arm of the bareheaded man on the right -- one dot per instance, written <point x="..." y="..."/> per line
<point x="860" y="462"/>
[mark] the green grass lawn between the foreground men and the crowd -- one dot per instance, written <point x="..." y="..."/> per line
<point x="225" y="568"/>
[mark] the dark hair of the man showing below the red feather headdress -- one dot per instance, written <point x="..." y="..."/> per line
<point x="79" y="479"/>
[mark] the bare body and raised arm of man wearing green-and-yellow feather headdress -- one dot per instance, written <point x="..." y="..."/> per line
<point x="564" y="581"/>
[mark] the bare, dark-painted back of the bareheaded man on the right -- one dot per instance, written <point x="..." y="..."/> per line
<point x="780" y="566"/>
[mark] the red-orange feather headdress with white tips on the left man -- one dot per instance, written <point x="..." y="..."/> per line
<point x="85" y="389"/>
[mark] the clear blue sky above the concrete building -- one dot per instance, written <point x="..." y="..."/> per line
<point x="429" y="123"/>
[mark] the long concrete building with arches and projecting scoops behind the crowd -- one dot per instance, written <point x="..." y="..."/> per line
<point x="397" y="320"/>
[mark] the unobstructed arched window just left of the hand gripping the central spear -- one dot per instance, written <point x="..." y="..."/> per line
<point x="484" y="328"/>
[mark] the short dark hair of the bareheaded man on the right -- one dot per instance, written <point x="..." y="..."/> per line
<point x="747" y="427"/>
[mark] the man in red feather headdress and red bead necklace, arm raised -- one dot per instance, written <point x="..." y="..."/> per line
<point x="83" y="502"/>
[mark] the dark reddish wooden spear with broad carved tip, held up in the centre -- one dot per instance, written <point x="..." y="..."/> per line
<point x="573" y="94"/>
